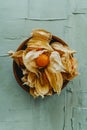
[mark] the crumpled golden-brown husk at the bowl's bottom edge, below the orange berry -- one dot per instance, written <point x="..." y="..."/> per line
<point x="39" y="86"/>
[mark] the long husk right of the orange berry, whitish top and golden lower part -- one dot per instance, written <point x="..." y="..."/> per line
<point x="53" y="72"/>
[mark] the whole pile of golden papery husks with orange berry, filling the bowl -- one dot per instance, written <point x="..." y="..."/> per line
<point x="45" y="66"/>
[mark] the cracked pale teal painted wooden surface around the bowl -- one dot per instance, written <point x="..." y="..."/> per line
<point x="66" y="19"/>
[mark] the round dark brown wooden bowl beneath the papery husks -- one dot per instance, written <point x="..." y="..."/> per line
<point x="17" y="71"/>
